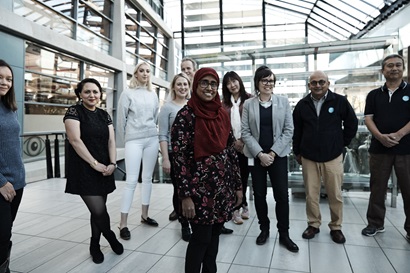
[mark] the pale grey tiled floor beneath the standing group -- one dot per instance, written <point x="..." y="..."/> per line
<point x="51" y="234"/>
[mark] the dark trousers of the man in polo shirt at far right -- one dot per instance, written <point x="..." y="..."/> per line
<point x="380" y="169"/>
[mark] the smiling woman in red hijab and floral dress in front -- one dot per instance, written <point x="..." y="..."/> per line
<point x="206" y="169"/>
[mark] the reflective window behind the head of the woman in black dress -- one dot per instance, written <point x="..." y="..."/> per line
<point x="51" y="78"/>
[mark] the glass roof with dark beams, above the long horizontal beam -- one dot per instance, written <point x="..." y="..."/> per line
<point x="209" y="25"/>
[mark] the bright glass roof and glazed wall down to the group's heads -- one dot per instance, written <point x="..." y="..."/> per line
<point x="292" y="37"/>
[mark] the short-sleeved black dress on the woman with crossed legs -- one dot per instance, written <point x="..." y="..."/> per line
<point x="82" y="179"/>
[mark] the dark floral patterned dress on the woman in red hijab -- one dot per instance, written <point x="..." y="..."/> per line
<point x="211" y="182"/>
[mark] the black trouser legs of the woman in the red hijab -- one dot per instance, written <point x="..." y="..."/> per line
<point x="203" y="248"/>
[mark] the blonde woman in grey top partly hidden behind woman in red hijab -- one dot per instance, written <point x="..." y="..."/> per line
<point x="180" y="89"/>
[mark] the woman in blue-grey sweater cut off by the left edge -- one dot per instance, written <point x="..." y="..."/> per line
<point x="12" y="175"/>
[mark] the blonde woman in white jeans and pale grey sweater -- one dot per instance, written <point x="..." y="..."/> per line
<point x="137" y="125"/>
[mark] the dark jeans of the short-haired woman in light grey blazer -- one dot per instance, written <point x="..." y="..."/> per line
<point x="278" y="174"/>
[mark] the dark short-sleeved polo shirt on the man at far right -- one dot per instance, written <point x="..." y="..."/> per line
<point x="390" y="114"/>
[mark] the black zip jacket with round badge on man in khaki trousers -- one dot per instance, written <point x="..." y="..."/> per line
<point x="323" y="138"/>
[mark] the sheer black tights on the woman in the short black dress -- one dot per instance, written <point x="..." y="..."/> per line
<point x="100" y="220"/>
